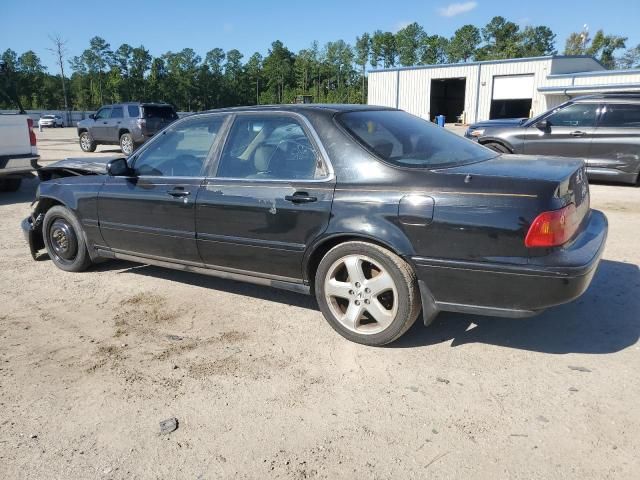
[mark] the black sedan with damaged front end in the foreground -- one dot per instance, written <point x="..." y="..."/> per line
<point x="375" y="211"/>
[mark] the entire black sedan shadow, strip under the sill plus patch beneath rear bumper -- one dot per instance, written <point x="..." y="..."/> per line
<point x="605" y="319"/>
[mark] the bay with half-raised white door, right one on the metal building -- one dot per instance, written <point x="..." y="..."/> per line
<point x="512" y="95"/>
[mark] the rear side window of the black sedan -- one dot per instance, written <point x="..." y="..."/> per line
<point x="270" y="147"/>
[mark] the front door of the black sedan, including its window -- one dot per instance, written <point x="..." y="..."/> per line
<point x="152" y="212"/>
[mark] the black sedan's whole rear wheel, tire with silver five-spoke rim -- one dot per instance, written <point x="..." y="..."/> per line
<point x="367" y="294"/>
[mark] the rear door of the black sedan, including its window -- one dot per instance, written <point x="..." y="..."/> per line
<point x="268" y="200"/>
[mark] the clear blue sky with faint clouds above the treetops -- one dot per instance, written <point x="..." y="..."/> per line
<point x="251" y="25"/>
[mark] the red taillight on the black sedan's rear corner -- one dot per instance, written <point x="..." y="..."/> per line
<point x="552" y="229"/>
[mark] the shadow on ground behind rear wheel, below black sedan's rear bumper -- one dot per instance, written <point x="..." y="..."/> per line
<point x="605" y="319"/>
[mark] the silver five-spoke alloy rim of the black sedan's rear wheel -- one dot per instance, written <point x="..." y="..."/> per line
<point x="361" y="294"/>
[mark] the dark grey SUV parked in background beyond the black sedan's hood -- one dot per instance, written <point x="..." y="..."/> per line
<point x="126" y="124"/>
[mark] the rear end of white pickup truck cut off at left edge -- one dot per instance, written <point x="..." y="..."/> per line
<point x="18" y="151"/>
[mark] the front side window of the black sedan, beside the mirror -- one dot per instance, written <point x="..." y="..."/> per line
<point x="179" y="151"/>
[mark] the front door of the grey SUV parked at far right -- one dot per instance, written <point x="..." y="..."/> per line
<point x="568" y="134"/>
